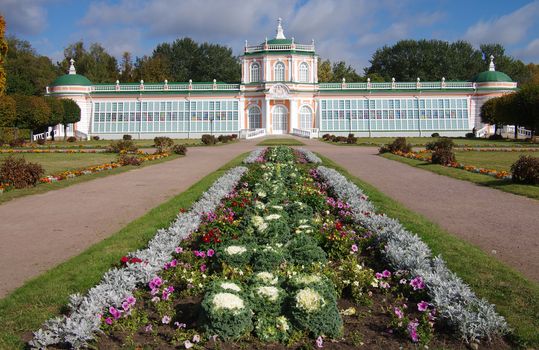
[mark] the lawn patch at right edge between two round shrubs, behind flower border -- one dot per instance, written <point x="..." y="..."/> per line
<point x="491" y="160"/>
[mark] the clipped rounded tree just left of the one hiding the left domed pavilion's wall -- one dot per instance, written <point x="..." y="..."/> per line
<point x="32" y="112"/>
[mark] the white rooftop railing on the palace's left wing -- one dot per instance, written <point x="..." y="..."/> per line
<point x="164" y="87"/>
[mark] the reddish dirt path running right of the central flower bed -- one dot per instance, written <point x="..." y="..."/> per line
<point x="502" y="224"/>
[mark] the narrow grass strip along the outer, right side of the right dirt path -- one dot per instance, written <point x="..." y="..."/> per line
<point x="529" y="191"/>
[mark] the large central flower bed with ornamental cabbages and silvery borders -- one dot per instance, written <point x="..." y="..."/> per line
<point x="283" y="252"/>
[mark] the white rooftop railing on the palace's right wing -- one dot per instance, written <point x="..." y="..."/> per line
<point x="398" y="85"/>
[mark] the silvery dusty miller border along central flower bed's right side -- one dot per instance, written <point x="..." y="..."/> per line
<point x="471" y="317"/>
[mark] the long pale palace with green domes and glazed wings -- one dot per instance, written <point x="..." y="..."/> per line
<point x="279" y="93"/>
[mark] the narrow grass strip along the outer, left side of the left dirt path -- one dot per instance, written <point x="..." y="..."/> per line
<point x="45" y="187"/>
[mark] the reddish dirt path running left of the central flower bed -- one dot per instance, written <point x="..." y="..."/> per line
<point x="40" y="231"/>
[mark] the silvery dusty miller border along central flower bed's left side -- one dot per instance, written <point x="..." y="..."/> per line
<point x="117" y="284"/>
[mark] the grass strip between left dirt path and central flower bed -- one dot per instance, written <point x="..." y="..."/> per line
<point x="45" y="296"/>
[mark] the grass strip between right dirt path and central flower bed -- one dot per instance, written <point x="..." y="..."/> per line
<point x="515" y="296"/>
